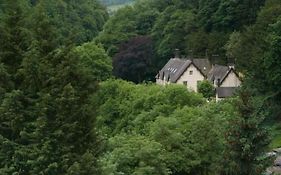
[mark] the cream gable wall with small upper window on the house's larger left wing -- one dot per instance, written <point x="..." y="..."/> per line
<point x="191" y="79"/>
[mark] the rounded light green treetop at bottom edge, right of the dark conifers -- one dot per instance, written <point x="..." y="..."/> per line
<point x="134" y="154"/>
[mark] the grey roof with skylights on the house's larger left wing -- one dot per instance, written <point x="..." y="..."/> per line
<point x="176" y="67"/>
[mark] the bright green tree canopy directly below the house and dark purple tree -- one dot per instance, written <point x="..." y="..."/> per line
<point x="121" y="102"/>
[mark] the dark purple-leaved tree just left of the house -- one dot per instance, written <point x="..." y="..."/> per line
<point x="133" y="62"/>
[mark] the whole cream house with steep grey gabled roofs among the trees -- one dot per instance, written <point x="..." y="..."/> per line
<point x="189" y="72"/>
